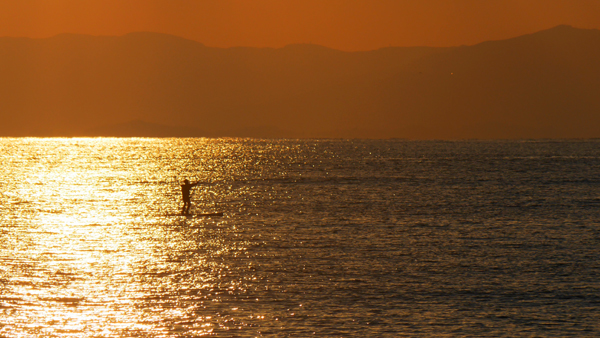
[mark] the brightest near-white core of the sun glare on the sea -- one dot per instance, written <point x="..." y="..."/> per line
<point x="78" y="197"/>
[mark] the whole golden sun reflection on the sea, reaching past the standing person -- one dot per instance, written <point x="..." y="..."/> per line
<point x="91" y="243"/>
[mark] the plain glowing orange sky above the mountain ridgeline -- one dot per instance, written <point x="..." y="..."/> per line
<point x="342" y="24"/>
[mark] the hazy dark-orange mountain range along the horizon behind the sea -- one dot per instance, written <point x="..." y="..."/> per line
<point x="542" y="85"/>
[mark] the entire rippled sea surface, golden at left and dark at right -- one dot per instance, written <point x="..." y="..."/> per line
<point x="327" y="238"/>
